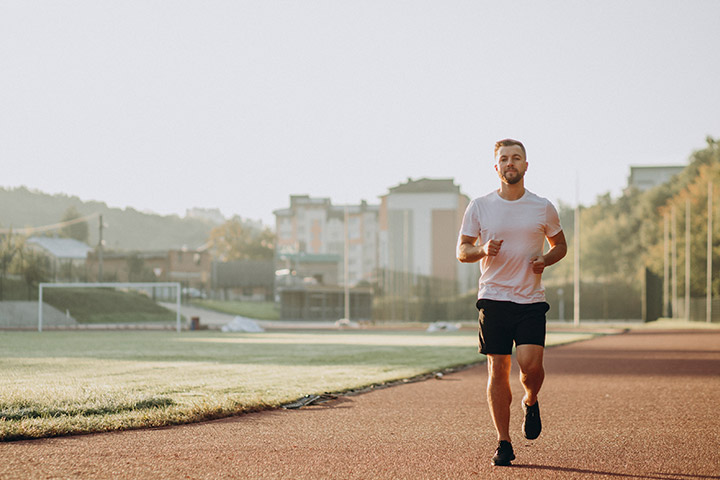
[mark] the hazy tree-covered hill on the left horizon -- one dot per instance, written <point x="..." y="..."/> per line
<point x="127" y="229"/>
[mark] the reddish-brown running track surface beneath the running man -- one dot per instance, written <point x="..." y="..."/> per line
<point x="632" y="406"/>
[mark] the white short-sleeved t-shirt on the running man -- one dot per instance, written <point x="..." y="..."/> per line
<point x="523" y="225"/>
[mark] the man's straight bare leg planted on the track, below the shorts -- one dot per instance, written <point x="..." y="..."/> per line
<point x="499" y="393"/>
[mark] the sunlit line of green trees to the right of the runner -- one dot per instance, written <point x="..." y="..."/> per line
<point x="622" y="237"/>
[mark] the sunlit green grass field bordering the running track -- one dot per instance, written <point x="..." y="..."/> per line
<point x="59" y="383"/>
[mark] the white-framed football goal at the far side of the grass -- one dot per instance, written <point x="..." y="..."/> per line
<point x="117" y="303"/>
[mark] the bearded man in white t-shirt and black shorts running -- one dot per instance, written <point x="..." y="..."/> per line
<point x="505" y="231"/>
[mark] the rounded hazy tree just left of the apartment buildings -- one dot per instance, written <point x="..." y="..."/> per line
<point x="238" y="240"/>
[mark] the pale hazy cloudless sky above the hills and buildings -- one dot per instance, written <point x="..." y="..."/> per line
<point x="167" y="105"/>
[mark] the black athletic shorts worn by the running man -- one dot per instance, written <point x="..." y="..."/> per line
<point x="502" y="323"/>
